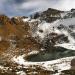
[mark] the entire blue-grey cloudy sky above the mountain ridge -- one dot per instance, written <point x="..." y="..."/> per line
<point x="28" y="7"/>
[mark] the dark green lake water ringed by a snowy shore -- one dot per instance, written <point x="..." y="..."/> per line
<point x="51" y="55"/>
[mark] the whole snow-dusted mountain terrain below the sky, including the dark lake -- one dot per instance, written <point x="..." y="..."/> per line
<point x="41" y="44"/>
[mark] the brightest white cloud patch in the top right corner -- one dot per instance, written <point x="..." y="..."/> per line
<point x="65" y="4"/>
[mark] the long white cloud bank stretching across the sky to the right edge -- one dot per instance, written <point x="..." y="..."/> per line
<point x="40" y="5"/>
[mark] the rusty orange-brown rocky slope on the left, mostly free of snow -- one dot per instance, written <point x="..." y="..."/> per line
<point x="15" y="38"/>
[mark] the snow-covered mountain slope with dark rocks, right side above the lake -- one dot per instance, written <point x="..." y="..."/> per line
<point x="63" y="27"/>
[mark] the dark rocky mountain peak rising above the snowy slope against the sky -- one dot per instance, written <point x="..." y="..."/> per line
<point x="49" y="15"/>
